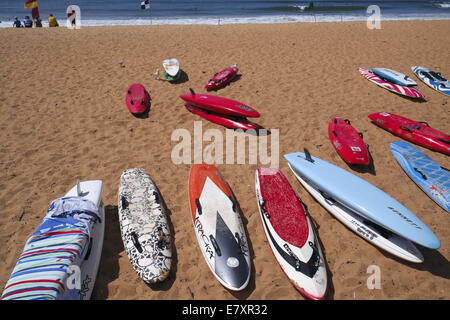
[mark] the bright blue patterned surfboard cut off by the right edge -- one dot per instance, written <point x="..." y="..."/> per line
<point x="425" y="172"/>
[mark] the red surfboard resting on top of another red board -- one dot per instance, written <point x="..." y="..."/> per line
<point x="220" y="105"/>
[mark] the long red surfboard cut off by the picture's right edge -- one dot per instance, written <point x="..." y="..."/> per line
<point x="417" y="132"/>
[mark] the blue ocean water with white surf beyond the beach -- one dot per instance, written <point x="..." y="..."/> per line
<point x="128" y="12"/>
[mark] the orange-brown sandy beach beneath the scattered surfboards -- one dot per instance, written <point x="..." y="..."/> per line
<point x="63" y="117"/>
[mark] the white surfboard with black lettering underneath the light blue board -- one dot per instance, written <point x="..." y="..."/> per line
<point x="373" y="233"/>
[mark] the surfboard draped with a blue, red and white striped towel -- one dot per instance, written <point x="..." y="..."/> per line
<point x="60" y="260"/>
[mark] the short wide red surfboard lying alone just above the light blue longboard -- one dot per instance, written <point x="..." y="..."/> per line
<point x="348" y="142"/>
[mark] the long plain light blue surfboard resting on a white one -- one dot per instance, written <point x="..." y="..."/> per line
<point x="362" y="197"/>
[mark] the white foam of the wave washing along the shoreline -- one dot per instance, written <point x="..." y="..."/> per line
<point x="244" y="20"/>
